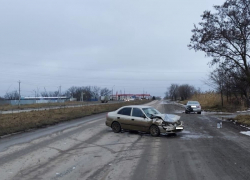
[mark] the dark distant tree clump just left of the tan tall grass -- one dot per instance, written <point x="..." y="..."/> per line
<point x="180" y="92"/>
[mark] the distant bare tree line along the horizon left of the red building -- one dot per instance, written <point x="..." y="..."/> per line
<point x="88" y="92"/>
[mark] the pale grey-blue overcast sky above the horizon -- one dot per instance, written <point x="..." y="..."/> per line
<point x="127" y="45"/>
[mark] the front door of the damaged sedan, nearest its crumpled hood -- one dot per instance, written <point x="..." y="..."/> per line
<point x="139" y="121"/>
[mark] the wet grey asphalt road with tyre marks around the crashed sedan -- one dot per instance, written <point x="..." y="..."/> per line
<point x="86" y="149"/>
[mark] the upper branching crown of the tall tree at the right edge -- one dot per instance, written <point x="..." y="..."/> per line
<point x="224" y="35"/>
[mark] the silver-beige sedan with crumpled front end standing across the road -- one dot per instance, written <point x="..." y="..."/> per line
<point x="145" y="119"/>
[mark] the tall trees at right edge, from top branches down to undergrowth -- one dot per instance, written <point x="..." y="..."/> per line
<point x="225" y="37"/>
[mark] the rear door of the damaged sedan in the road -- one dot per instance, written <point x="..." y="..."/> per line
<point x="124" y="117"/>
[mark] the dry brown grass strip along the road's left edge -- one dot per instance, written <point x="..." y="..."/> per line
<point x="11" y="123"/>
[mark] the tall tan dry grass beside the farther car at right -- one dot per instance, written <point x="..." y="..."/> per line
<point x="212" y="101"/>
